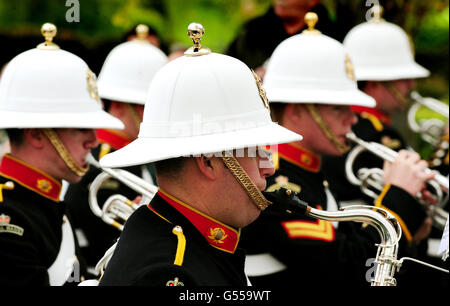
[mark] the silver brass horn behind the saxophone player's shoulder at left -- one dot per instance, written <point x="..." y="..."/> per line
<point x="117" y="208"/>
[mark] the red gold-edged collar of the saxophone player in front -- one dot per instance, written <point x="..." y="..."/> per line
<point x="219" y="235"/>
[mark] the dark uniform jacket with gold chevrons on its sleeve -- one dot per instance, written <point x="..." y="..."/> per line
<point x="313" y="252"/>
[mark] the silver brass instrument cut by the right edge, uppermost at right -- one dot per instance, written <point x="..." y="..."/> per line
<point x="430" y="129"/>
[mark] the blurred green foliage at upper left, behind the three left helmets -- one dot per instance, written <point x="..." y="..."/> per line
<point x="109" y="19"/>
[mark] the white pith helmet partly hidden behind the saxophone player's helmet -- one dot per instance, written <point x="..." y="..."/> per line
<point x="129" y="68"/>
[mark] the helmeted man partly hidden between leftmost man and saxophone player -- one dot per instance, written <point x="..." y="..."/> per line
<point x="122" y="85"/>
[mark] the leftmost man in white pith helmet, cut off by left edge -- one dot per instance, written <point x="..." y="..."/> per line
<point x="50" y="109"/>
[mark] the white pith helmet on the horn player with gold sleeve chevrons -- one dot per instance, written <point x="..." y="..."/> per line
<point x="312" y="68"/>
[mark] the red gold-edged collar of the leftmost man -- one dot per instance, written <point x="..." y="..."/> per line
<point x="30" y="177"/>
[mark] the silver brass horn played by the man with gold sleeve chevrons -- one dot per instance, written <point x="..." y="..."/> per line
<point x="371" y="180"/>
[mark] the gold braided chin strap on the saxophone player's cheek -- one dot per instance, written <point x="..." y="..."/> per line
<point x="253" y="192"/>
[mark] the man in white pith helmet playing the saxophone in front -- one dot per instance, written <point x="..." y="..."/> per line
<point x="205" y="116"/>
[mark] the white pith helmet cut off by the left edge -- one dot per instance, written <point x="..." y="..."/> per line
<point x="47" y="87"/>
